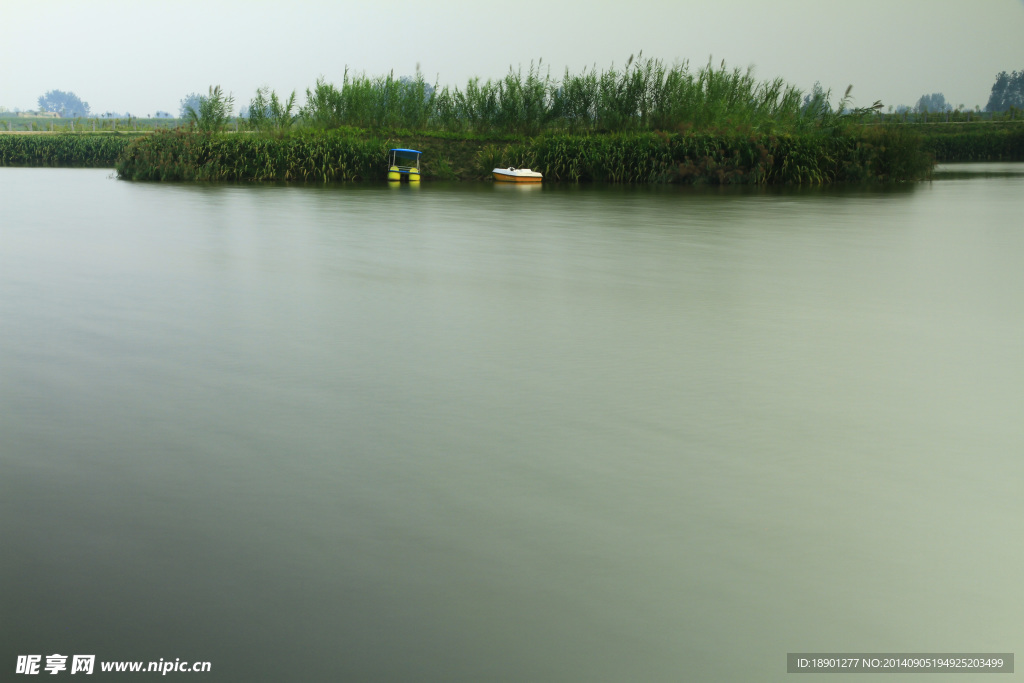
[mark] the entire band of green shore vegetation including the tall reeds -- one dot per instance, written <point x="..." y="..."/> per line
<point x="646" y="122"/>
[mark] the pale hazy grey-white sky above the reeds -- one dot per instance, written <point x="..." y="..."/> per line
<point x="146" y="56"/>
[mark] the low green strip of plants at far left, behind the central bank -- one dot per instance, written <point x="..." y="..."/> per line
<point x="94" y="151"/>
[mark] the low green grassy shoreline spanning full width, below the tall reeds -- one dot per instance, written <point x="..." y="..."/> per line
<point x="856" y="154"/>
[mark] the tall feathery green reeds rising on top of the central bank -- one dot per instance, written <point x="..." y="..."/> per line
<point x="644" y="95"/>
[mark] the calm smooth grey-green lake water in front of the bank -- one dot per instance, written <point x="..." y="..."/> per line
<point x="466" y="433"/>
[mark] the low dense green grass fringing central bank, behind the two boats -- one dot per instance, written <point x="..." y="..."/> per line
<point x="884" y="154"/>
